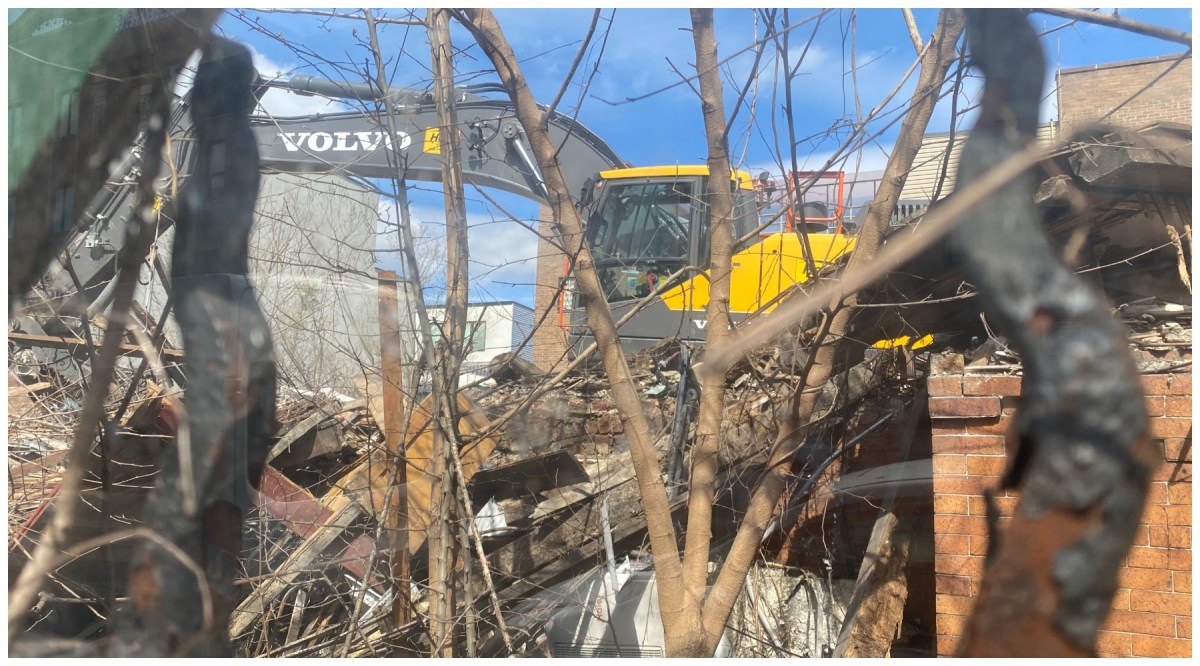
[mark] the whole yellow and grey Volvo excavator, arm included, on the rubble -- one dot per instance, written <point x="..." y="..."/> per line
<point x="647" y="226"/>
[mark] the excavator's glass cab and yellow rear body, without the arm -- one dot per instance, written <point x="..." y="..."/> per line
<point x="649" y="231"/>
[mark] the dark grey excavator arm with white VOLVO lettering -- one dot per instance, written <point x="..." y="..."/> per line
<point x="350" y="143"/>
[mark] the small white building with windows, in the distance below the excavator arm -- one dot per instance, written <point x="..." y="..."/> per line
<point x="493" y="329"/>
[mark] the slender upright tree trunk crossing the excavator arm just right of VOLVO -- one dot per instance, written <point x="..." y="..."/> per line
<point x="446" y="435"/>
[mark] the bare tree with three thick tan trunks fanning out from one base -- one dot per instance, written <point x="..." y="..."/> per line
<point x="694" y="621"/>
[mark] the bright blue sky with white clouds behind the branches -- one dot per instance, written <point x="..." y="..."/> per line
<point x="638" y="59"/>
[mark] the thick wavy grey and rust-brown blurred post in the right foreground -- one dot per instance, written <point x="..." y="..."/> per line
<point x="1084" y="458"/>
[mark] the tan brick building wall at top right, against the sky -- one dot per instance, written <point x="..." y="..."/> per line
<point x="1085" y="94"/>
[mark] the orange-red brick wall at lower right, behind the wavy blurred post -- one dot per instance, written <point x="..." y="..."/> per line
<point x="1153" y="610"/>
